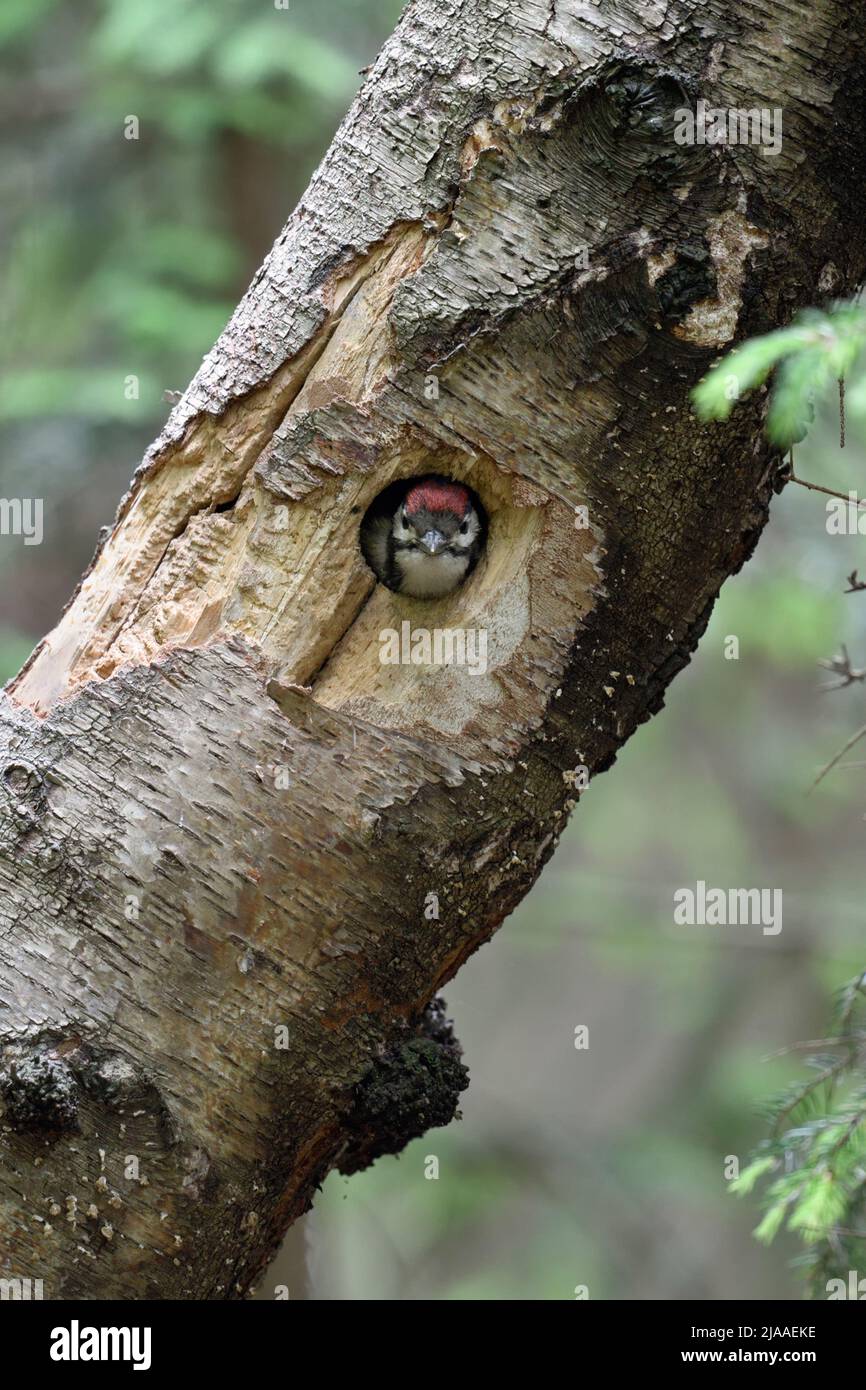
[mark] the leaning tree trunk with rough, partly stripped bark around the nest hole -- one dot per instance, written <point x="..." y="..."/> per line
<point x="168" y="901"/>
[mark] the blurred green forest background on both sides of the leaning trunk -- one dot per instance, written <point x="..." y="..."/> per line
<point x="601" y="1167"/>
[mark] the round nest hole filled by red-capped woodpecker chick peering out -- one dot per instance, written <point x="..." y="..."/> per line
<point x="425" y="537"/>
